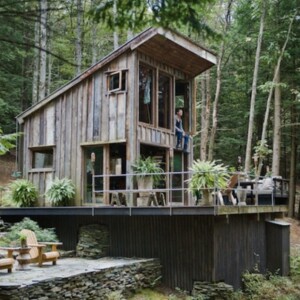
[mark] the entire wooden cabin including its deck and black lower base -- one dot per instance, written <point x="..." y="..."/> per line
<point x="122" y="108"/>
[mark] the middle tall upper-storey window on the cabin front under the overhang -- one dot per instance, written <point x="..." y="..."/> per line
<point x="164" y="101"/>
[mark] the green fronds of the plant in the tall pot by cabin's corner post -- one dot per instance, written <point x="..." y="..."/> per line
<point x="147" y="167"/>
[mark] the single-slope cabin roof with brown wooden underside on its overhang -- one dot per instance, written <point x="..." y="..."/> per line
<point x="167" y="46"/>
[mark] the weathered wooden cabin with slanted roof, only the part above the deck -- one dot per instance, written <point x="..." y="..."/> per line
<point x="119" y="109"/>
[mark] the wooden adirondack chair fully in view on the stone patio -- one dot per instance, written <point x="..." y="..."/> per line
<point x="37" y="249"/>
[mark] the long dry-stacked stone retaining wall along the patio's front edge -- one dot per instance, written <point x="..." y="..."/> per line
<point x="111" y="283"/>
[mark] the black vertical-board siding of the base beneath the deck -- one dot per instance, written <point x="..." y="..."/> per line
<point x="190" y="248"/>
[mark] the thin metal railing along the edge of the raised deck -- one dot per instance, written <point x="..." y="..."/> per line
<point x="173" y="190"/>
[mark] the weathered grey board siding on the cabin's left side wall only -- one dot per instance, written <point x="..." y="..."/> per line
<point x="85" y="114"/>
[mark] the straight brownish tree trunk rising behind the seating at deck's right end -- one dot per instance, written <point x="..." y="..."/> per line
<point x="277" y="129"/>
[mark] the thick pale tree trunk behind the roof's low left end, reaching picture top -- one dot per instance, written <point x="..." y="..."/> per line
<point x="43" y="53"/>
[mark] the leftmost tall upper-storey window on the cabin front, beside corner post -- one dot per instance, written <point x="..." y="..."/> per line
<point x="146" y="75"/>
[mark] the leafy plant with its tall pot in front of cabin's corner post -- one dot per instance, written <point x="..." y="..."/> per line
<point x="147" y="172"/>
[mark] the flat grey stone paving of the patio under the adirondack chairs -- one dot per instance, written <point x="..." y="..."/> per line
<point x="66" y="267"/>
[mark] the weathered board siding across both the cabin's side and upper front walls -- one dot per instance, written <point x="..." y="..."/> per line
<point x="87" y="114"/>
